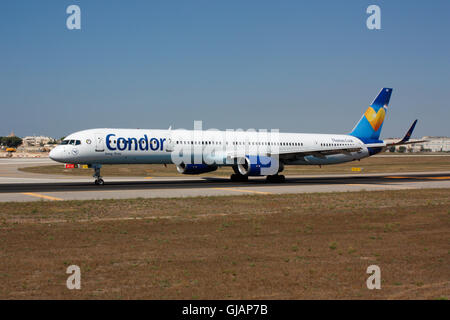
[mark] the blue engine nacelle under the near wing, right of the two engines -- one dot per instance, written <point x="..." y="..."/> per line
<point x="259" y="166"/>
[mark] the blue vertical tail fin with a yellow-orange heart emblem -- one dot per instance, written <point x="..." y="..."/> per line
<point x="369" y="126"/>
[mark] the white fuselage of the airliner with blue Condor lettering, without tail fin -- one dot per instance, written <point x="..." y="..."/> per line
<point x="142" y="146"/>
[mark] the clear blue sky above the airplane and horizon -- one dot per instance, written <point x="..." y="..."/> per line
<point x="296" y="66"/>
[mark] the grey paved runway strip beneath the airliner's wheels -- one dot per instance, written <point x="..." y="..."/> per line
<point x="20" y="186"/>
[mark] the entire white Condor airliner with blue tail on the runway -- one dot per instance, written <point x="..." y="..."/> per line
<point x="249" y="153"/>
